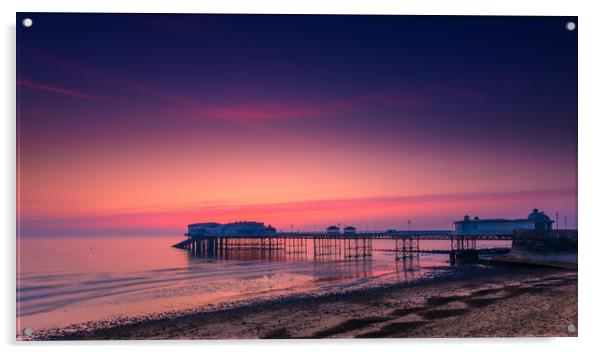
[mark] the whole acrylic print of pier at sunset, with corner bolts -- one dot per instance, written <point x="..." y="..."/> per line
<point x="205" y="176"/>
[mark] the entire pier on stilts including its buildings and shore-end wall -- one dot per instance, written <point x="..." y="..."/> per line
<point x="215" y="239"/>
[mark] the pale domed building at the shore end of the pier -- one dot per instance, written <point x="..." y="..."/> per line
<point x="537" y="220"/>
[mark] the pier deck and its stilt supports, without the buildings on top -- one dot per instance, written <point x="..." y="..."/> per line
<point x="324" y="245"/>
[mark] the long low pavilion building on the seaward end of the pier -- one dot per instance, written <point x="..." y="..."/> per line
<point x="235" y="228"/>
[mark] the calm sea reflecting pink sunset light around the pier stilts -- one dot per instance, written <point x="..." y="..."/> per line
<point x="76" y="280"/>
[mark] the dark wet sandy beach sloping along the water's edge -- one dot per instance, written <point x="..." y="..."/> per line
<point x="474" y="301"/>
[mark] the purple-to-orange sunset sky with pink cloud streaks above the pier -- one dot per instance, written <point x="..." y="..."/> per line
<point x="139" y="124"/>
